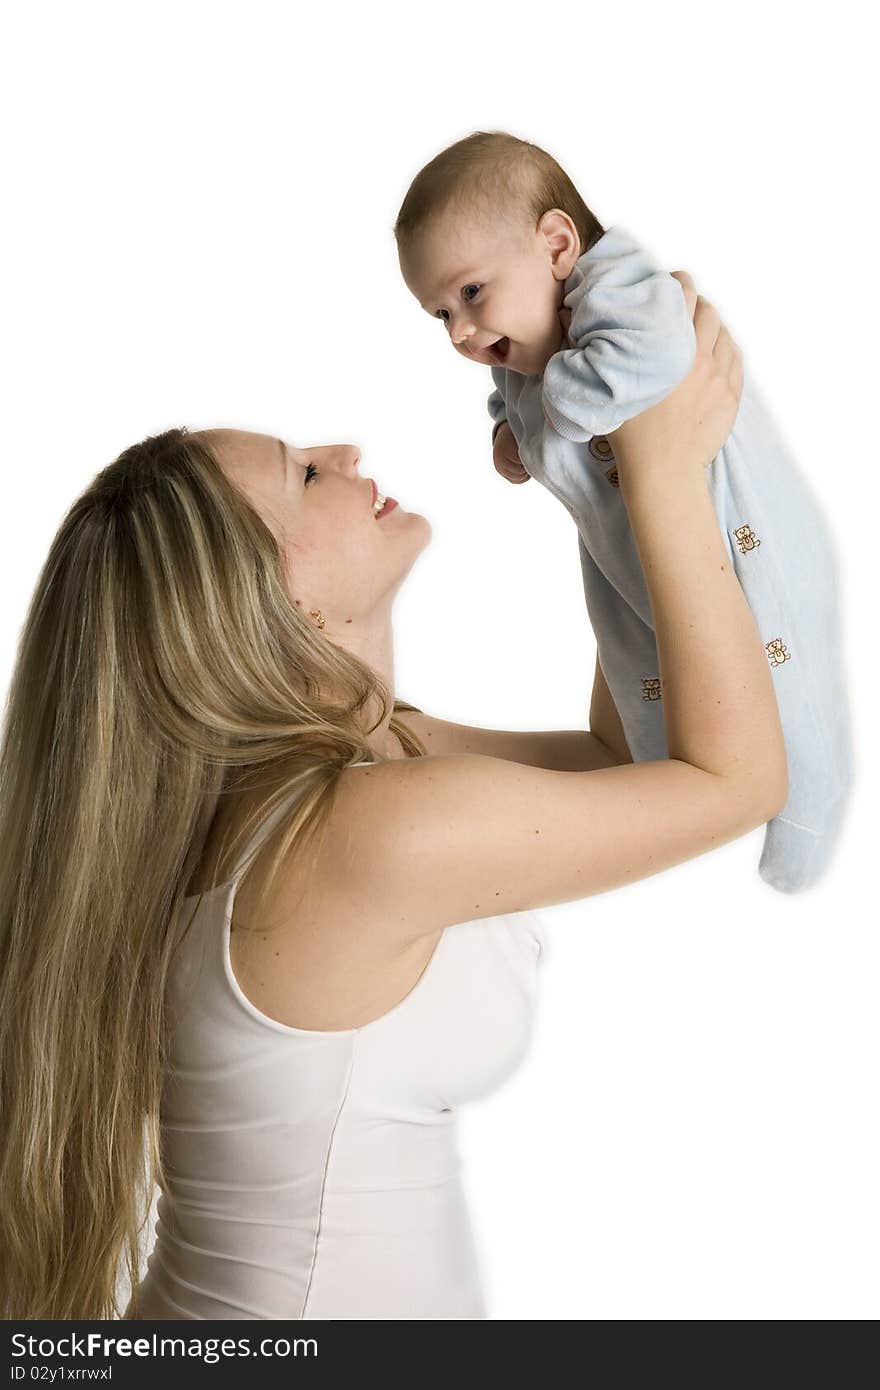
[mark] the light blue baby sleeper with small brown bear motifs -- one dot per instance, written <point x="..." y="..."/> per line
<point x="633" y="344"/>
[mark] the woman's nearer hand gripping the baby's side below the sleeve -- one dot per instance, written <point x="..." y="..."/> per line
<point x="686" y="430"/>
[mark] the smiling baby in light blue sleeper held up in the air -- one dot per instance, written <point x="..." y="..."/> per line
<point x="582" y="330"/>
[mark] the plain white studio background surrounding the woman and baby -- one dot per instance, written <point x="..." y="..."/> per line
<point x="199" y="201"/>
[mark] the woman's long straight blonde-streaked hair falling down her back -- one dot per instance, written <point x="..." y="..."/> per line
<point x="163" y="667"/>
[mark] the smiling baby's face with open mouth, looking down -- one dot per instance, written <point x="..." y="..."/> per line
<point x="497" y="288"/>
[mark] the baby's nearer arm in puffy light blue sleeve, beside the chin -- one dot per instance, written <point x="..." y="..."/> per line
<point x="633" y="341"/>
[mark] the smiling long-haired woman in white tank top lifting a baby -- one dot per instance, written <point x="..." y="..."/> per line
<point x="208" y="660"/>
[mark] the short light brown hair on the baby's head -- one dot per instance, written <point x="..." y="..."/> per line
<point x="496" y="176"/>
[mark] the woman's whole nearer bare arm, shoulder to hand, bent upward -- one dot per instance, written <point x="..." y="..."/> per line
<point x="418" y="844"/>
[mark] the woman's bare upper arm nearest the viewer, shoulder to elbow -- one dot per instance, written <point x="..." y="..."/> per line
<point x="419" y="844"/>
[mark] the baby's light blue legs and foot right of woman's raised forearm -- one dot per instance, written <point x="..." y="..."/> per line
<point x="785" y="559"/>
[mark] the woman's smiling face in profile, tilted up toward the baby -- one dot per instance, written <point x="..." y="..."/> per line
<point x="340" y="558"/>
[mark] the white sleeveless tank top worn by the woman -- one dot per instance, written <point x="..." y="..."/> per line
<point x="316" y="1174"/>
